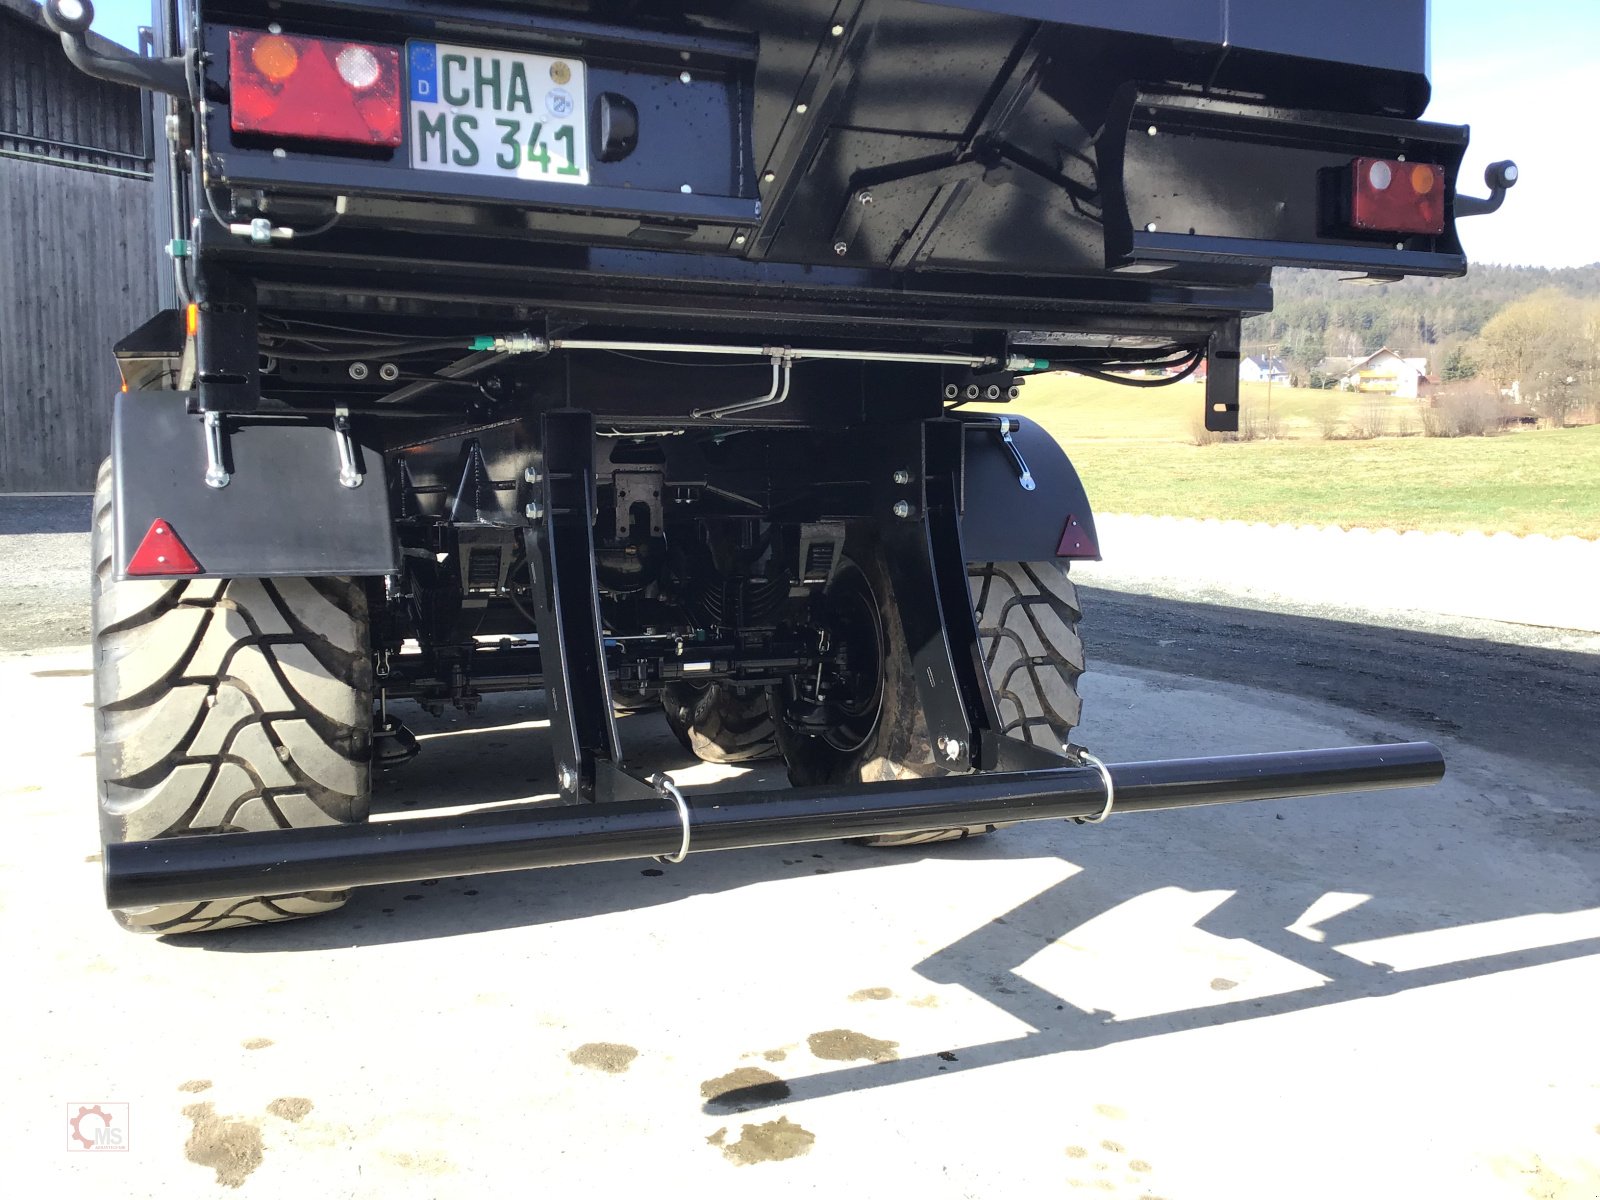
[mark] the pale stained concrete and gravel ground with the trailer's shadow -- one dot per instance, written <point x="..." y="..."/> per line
<point x="1388" y="994"/>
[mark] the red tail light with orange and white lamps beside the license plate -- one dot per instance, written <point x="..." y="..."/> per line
<point x="316" y="89"/>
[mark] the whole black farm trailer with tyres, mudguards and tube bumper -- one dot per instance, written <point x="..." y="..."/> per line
<point x="673" y="356"/>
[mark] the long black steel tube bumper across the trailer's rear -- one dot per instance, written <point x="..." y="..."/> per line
<point x="186" y="870"/>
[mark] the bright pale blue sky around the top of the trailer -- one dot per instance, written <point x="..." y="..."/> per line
<point x="1519" y="74"/>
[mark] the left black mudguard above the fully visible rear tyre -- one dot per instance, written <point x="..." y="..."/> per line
<point x="284" y="511"/>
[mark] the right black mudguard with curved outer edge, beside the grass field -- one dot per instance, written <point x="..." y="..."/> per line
<point x="1006" y="522"/>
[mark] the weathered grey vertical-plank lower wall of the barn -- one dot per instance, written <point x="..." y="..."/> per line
<point x="76" y="278"/>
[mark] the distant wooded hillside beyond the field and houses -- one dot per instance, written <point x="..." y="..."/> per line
<point x="1318" y="314"/>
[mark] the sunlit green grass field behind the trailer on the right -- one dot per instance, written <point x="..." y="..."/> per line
<point x="1135" y="452"/>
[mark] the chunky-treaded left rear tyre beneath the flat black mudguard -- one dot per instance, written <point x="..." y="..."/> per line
<point x="225" y="706"/>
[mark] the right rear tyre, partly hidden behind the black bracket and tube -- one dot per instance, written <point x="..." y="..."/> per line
<point x="1028" y="630"/>
